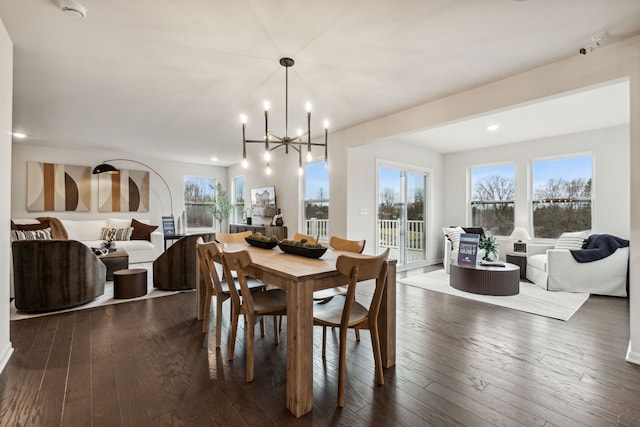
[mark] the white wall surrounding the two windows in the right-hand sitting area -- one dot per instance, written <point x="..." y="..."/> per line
<point x="609" y="148"/>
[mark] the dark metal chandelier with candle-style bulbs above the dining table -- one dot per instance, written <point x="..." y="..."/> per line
<point x="272" y="141"/>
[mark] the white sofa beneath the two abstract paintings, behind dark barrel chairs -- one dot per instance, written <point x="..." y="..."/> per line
<point x="89" y="232"/>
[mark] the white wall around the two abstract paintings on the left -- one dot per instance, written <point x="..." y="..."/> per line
<point x="159" y="201"/>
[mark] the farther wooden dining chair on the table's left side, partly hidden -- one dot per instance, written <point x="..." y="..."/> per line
<point x="209" y="256"/>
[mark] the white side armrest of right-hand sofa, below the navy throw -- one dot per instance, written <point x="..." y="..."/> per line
<point x="607" y="276"/>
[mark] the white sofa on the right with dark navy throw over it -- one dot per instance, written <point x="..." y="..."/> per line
<point x="557" y="270"/>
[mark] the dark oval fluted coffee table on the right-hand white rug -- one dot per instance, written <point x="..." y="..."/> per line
<point x="499" y="281"/>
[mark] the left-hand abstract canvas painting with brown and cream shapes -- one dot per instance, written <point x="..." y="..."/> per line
<point x="58" y="187"/>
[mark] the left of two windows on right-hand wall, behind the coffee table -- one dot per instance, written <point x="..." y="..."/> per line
<point x="492" y="198"/>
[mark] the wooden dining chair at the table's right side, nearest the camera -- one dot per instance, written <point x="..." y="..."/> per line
<point x="345" y="312"/>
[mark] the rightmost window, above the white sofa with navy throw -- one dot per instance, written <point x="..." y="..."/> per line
<point x="561" y="196"/>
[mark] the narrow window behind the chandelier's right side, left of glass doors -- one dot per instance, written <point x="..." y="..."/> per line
<point x="316" y="200"/>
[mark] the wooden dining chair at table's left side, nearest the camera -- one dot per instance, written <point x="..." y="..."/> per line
<point x="252" y="305"/>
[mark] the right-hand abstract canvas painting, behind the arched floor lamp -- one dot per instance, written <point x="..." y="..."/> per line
<point x="127" y="191"/>
